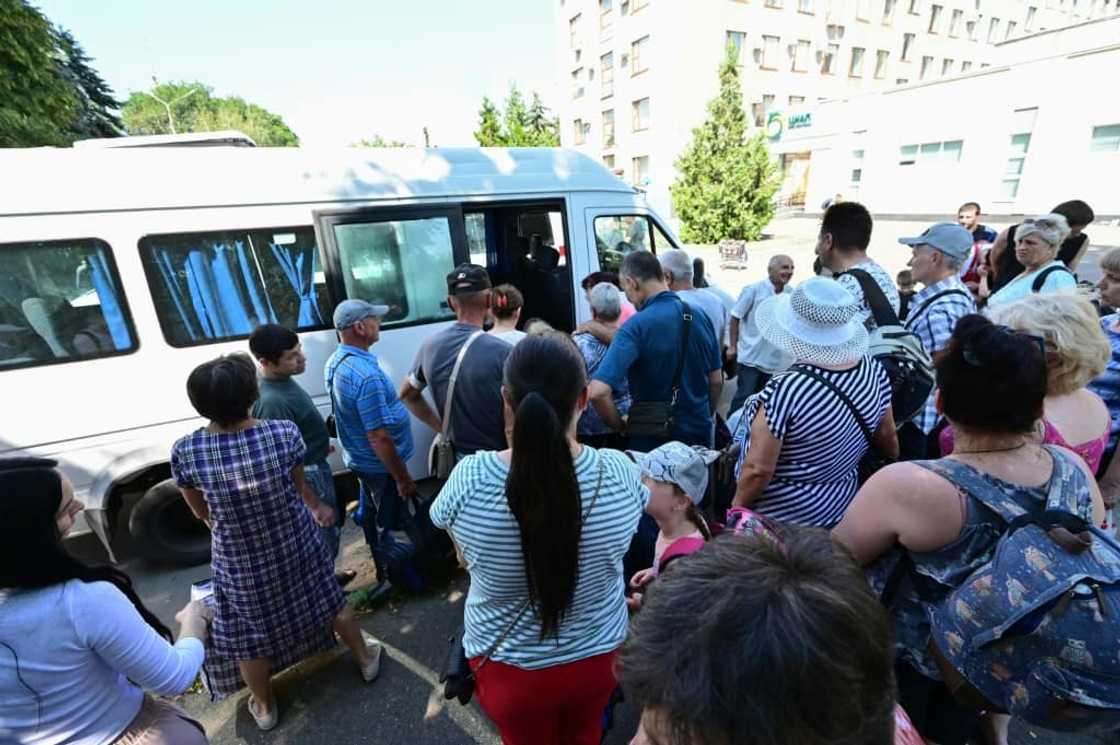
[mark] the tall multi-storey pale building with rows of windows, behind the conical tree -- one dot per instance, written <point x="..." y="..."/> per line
<point x="639" y="73"/>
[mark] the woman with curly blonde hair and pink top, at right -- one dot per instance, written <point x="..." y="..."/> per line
<point x="1077" y="352"/>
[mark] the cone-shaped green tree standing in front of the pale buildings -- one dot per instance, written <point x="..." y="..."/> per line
<point x="727" y="180"/>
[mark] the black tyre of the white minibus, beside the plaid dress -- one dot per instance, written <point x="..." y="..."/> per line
<point x="164" y="528"/>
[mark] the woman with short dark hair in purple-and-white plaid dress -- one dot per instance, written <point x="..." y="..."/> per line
<point x="276" y="598"/>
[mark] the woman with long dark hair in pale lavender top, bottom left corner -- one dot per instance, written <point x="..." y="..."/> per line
<point x="78" y="647"/>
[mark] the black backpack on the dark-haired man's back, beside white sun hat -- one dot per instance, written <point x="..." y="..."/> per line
<point x="899" y="350"/>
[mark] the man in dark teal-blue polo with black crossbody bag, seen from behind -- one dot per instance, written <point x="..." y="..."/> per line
<point x="647" y="352"/>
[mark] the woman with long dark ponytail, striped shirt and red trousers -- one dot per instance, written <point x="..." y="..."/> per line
<point x="543" y="529"/>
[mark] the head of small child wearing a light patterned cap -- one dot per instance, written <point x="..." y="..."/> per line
<point x="677" y="477"/>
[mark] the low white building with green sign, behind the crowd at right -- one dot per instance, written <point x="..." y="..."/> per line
<point x="984" y="111"/>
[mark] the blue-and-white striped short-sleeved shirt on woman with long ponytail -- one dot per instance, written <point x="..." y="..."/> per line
<point x="473" y="508"/>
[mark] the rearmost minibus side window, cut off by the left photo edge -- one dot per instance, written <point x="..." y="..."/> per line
<point x="61" y="302"/>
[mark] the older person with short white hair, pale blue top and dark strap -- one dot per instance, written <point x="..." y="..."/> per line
<point x="1038" y="241"/>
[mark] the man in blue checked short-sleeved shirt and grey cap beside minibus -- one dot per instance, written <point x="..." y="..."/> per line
<point x="374" y="427"/>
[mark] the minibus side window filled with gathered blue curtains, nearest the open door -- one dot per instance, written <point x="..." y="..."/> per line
<point x="220" y="286"/>
